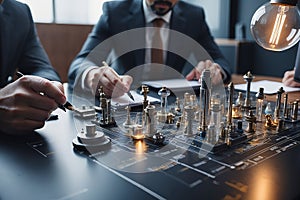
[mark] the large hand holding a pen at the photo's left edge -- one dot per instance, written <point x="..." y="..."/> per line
<point x="26" y="104"/>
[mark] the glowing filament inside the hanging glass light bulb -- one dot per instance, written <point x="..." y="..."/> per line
<point x="278" y="25"/>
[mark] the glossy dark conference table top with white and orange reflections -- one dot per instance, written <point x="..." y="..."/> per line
<point x="44" y="165"/>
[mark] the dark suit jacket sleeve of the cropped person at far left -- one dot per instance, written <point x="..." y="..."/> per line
<point x="20" y="47"/>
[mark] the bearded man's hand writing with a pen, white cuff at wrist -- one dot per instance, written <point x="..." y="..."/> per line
<point x="113" y="84"/>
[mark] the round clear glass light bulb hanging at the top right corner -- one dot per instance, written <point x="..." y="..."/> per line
<point x="276" y="25"/>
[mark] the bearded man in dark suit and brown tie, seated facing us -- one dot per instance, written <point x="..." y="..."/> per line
<point x="185" y="22"/>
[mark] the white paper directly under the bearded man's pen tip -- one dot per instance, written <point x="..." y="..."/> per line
<point x="125" y="100"/>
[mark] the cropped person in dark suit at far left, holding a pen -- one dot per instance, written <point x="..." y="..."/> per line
<point x="22" y="107"/>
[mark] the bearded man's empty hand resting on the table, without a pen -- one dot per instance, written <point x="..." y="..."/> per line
<point x="215" y="71"/>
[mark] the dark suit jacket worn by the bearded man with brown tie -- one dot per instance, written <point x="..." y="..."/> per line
<point x="127" y="15"/>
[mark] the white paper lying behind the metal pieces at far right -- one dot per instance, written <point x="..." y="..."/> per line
<point x="270" y="87"/>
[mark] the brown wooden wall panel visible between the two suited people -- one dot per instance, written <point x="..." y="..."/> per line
<point x="62" y="42"/>
